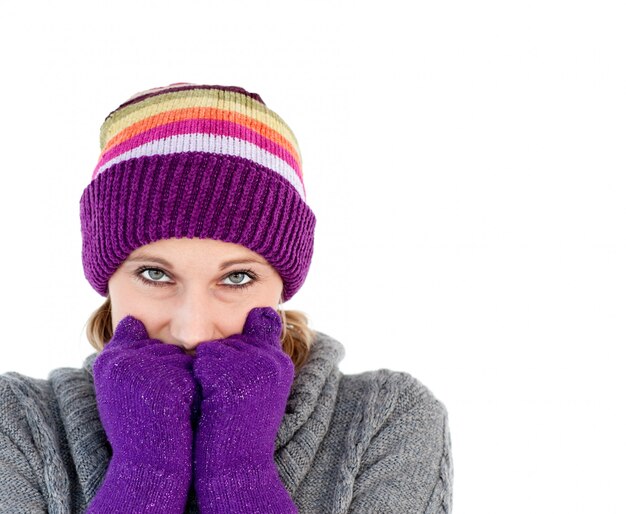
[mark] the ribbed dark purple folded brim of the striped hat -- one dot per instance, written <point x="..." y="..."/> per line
<point x="194" y="194"/>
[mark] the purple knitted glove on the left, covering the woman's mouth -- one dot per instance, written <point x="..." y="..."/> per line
<point x="144" y="391"/>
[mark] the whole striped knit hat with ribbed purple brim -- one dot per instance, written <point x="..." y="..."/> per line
<point x="191" y="160"/>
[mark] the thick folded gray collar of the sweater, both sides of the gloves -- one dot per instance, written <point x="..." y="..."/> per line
<point x="306" y="420"/>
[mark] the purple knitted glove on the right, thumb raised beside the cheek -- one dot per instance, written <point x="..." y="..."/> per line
<point x="245" y="381"/>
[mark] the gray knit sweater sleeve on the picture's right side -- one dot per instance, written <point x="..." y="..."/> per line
<point x="407" y="465"/>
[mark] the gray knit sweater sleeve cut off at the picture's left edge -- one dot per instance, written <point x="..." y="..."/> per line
<point x="19" y="489"/>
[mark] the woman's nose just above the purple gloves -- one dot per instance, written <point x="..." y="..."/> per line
<point x="194" y="320"/>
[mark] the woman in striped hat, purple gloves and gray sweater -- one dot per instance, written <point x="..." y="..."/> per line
<point x="204" y="396"/>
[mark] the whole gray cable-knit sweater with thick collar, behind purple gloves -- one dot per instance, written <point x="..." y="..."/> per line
<point x="373" y="442"/>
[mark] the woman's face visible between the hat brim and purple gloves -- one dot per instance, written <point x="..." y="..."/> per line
<point x="186" y="291"/>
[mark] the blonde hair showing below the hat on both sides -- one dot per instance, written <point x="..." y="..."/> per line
<point x="296" y="336"/>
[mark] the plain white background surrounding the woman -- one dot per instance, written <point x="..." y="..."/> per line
<point x="465" y="161"/>
